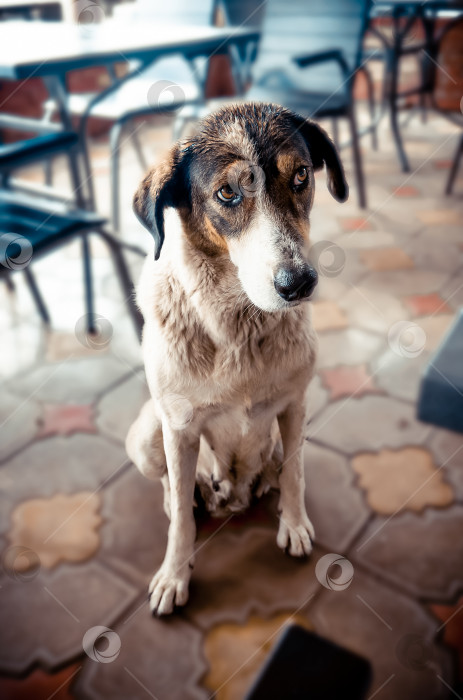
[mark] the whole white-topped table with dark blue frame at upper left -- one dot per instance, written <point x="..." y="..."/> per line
<point x="49" y="50"/>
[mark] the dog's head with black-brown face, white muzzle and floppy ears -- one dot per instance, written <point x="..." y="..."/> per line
<point x="244" y="187"/>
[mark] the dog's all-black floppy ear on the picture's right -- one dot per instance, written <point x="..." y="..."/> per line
<point x="323" y="152"/>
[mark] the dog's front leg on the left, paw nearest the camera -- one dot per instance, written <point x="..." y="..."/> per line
<point x="169" y="586"/>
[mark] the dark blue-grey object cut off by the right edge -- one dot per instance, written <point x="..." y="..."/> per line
<point x="441" y="393"/>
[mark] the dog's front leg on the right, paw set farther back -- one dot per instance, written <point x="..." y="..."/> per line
<point x="295" y="532"/>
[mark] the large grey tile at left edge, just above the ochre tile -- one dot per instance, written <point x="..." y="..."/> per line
<point x="58" y="465"/>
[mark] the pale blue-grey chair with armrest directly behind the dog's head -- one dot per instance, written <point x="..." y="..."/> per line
<point x="308" y="58"/>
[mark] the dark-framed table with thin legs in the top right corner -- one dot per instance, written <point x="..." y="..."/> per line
<point x="411" y="11"/>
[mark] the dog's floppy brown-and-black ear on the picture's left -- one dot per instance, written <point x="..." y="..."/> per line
<point x="165" y="186"/>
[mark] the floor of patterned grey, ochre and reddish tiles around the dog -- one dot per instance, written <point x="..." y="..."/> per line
<point x="81" y="531"/>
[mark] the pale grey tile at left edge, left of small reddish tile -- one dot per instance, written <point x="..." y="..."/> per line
<point x="18" y="422"/>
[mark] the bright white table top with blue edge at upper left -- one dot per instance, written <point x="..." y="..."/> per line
<point x="39" y="49"/>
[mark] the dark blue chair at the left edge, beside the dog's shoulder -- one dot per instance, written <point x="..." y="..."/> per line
<point x="32" y="227"/>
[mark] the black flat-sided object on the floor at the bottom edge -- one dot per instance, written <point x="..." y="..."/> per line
<point x="303" y="666"/>
